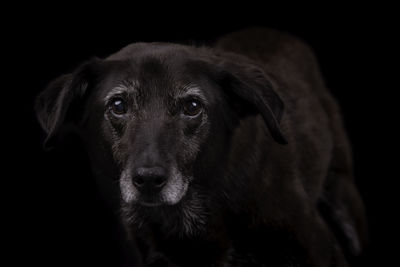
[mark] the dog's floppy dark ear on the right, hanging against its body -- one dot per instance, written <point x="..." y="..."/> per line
<point x="251" y="85"/>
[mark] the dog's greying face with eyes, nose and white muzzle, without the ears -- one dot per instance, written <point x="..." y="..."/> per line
<point x="156" y="117"/>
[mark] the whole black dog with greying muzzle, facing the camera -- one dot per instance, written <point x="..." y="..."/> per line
<point x="226" y="156"/>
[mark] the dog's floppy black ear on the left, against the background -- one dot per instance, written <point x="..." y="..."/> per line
<point x="56" y="106"/>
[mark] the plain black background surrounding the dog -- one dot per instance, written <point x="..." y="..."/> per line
<point x="54" y="214"/>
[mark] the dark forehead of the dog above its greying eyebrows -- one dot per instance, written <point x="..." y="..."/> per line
<point x="156" y="67"/>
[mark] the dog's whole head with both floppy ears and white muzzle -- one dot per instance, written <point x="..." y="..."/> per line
<point x="156" y="117"/>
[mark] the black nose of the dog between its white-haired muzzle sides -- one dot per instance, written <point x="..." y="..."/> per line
<point x="150" y="177"/>
